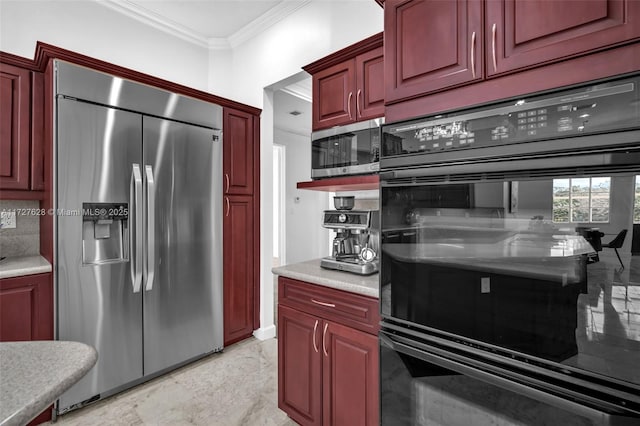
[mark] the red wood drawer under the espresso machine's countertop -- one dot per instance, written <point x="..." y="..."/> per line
<point x="353" y="310"/>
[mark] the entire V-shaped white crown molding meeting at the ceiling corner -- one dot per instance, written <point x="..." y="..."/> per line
<point x="252" y="29"/>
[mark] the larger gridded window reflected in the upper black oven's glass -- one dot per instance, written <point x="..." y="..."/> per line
<point x="582" y="199"/>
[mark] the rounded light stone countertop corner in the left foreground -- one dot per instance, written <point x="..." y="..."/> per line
<point x="34" y="374"/>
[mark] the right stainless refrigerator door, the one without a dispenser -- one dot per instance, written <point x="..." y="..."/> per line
<point x="183" y="275"/>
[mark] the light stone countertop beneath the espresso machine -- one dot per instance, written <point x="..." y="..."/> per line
<point x="311" y="272"/>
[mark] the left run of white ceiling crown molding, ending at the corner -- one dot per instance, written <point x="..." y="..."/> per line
<point x="154" y="20"/>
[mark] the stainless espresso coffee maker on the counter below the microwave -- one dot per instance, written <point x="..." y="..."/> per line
<point x="356" y="244"/>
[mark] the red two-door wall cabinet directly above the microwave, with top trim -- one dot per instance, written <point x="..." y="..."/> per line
<point x="348" y="85"/>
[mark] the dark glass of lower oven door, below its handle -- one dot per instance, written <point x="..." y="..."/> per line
<point x="416" y="392"/>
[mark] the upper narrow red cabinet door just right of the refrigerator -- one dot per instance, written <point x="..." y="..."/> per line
<point x="238" y="153"/>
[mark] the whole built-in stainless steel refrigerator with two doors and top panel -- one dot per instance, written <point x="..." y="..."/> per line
<point x="138" y="228"/>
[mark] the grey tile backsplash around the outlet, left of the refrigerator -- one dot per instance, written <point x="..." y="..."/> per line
<point x="24" y="240"/>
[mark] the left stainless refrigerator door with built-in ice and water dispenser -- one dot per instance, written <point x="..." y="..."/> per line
<point x="96" y="149"/>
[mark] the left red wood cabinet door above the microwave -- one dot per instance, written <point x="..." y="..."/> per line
<point x="334" y="95"/>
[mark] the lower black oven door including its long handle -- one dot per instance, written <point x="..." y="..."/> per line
<point x="420" y="387"/>
